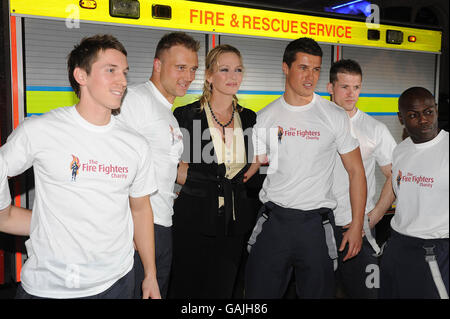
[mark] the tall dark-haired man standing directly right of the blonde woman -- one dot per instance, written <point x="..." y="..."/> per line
<point x="297" y="234"/>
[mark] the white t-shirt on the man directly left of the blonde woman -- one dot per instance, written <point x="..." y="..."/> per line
<point x="147" y="111"/>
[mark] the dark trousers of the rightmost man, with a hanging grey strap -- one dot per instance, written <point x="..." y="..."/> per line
<point x="404" y="273"/>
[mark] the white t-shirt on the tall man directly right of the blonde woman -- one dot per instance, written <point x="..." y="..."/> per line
<point x="301" y="144"/>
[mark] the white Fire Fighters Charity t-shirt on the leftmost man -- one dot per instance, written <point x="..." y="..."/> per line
<point x="81" y="236"/>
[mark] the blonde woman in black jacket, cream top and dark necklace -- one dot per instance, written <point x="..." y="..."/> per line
<point x="215" y="209"/>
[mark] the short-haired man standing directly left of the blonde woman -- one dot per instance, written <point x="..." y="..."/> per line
<point x="147" y="107"/>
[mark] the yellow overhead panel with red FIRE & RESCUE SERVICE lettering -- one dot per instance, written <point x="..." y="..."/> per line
<point x="212" y="18"/>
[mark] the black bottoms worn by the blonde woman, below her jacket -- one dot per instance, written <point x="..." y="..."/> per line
<point x="204" y="266"/>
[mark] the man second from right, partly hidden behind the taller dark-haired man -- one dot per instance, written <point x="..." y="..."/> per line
<point x="376" y="144"/>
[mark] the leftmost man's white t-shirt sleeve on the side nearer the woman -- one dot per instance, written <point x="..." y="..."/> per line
<point x="144" y="182"/>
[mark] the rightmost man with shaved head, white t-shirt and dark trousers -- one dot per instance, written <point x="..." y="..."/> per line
<point x="415" y="263"/>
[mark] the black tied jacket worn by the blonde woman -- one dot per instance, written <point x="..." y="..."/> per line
<point x="196" y="207"/>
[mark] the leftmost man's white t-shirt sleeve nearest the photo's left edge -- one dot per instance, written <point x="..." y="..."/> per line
<point x="17" y="152"/>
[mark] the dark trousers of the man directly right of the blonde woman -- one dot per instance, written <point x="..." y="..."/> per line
<point x="290" y="240"/>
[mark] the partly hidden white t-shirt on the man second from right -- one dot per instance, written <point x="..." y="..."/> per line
<point x="376" y="144"/>
